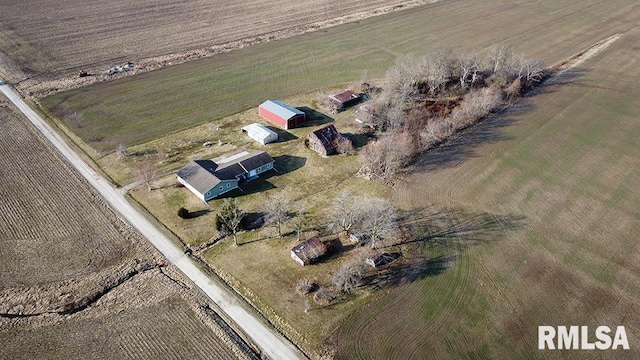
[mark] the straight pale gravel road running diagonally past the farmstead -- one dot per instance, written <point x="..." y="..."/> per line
<point x="271" y="343"/>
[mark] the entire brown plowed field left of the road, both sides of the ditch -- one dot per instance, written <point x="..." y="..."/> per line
<point x="59" y="242"/>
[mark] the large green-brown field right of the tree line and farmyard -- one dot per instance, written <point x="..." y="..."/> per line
<point x="567" y="163"/>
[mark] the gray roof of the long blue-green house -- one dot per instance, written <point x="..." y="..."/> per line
<point x="206" y="174"/>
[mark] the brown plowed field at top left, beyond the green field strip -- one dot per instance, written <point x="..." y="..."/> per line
<point x="53" y="37"/>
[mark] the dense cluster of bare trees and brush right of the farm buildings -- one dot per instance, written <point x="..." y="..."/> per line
<point x="426" y="99"/>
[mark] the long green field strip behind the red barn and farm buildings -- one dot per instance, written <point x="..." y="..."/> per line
<point x="138" y="109"/>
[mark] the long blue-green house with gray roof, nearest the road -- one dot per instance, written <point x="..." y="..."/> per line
<point x="208" y="179"/>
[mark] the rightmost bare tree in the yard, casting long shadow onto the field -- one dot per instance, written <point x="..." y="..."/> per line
<point x="379" y="220"/>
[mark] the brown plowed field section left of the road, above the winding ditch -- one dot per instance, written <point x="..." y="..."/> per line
<point x="49" y="215"/>
